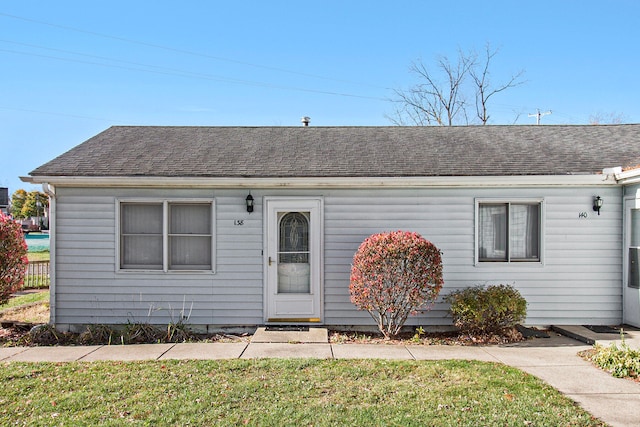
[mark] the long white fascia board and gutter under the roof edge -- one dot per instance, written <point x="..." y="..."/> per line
<point x="342" y="182"/>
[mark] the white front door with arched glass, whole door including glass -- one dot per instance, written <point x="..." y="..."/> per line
<point x="293" y="260"/>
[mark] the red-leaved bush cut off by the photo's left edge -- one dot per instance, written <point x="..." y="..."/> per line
<point x="13" y="257"/>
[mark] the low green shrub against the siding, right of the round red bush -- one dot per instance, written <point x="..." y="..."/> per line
<point x="481" y="310"/>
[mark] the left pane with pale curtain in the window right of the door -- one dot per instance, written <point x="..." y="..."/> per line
<point x="492" y="232"/>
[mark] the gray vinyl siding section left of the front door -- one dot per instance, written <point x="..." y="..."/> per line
<point x="89" y="289"/>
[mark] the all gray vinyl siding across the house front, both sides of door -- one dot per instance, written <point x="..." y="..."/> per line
<point x="577" y="282"/>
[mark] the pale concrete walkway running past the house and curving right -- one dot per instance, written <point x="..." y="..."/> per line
<point x="554" y="360"/>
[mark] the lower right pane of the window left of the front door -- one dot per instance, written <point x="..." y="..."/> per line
<point x="190" y="253"/>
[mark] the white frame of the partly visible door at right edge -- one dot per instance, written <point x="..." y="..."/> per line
<point x="630" y="296"/>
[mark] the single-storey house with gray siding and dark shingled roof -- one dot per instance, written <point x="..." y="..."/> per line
<point x="244" y="226"/>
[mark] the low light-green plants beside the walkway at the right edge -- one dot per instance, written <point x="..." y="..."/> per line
<point x="621" y="361"/>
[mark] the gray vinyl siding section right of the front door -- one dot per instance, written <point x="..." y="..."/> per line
<point x="578" y="281"/>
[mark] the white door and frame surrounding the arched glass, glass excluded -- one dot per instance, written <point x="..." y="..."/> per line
<point x="291" y="307"/>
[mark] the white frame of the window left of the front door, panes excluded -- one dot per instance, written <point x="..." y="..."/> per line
<point x="165" y="233"/>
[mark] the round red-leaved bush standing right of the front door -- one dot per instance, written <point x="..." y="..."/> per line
<point x="393" y="275"/>
